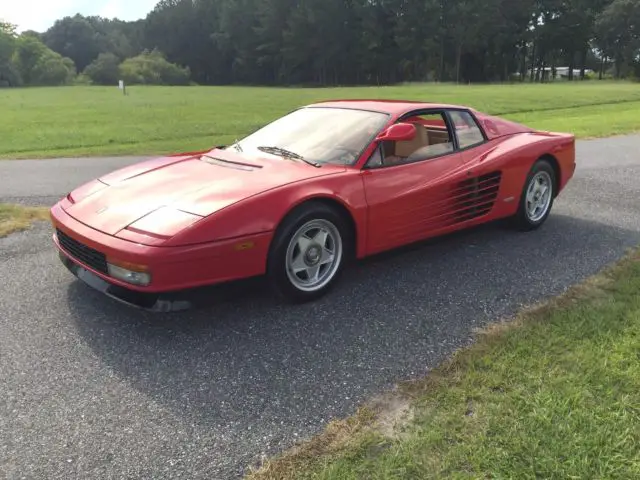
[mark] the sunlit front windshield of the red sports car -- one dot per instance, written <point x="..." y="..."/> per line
<point x="318" y="134"/>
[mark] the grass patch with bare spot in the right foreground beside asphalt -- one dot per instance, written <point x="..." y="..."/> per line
<point x="553" y="394"/>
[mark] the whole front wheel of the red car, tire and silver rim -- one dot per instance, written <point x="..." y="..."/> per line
<point x="308" y="252"/>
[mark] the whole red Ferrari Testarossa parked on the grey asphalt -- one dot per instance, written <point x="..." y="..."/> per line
<point x="302" y="195"/>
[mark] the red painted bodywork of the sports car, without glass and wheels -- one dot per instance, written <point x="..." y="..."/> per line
<point x="195" y="221"/>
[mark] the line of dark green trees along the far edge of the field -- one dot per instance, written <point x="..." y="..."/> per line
<point x="332" y="42"/>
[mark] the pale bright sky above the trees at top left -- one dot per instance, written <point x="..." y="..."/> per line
<point x="39" y="15"/>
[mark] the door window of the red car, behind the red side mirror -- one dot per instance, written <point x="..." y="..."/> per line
<point x="433" y="139"/>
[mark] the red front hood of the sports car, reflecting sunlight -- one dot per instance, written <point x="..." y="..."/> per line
<point x="186" y="185"/>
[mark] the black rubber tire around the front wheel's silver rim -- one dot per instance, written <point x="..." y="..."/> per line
<point x="277" y="271"/>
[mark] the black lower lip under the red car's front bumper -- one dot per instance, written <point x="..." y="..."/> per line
<point x="154" y="302"/>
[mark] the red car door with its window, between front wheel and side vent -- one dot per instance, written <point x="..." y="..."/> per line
<point x="408" y="185"/>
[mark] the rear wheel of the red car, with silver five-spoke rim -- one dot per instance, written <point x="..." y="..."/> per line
<point x="538" y="194"/>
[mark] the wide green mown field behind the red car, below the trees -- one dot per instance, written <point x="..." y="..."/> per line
<point x="73" y="121"/>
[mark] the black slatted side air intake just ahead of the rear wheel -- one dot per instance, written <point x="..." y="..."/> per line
<point x="475" y="197"/>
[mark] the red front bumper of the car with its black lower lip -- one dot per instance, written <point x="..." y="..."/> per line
<point x="176" y="271"/>
